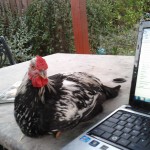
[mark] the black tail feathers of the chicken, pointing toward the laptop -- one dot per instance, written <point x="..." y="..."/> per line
<point x="111" y="92"/>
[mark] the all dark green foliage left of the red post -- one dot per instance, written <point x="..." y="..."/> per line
<point x="45" y="28"/>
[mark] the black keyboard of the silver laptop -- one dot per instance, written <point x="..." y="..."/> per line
<point x="126" y="129"/>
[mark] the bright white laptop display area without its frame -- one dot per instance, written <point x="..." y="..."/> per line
<point x="142" y="88"/>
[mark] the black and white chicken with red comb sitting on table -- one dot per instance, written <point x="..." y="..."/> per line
<point x="59" y="102"/>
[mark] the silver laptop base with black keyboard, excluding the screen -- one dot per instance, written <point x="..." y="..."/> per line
<point x="114" y="134"/>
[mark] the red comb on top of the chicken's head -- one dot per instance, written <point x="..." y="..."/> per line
<point x="41" y="63"/>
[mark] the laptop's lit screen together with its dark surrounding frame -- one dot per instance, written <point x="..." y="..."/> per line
<point x="140" y="87"/>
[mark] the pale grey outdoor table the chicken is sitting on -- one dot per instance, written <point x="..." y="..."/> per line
<point x="104" y="67"/>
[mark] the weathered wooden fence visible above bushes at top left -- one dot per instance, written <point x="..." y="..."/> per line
<point x="15" y="5"/>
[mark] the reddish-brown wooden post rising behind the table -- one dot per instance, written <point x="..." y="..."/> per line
<point x="80" y="26"/>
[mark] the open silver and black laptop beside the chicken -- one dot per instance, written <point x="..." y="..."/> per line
<point x="128" y="127"/>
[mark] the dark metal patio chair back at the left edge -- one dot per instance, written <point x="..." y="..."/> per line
<point x="5" y="53"/>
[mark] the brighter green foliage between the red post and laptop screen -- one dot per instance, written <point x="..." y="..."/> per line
<point x="113" y="24"/>
